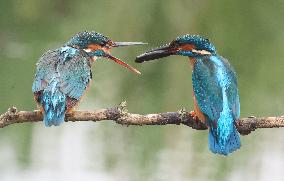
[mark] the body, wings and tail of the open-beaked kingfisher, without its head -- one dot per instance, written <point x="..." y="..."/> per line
<point x="61" y="78"/>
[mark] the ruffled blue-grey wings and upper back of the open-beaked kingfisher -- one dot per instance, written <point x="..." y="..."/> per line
<point x="68" y="67"/>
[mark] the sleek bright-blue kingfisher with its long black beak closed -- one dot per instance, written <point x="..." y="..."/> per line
<point x="215" y="91"/>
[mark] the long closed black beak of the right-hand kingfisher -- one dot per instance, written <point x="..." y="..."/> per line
<point x="163" y="51"/>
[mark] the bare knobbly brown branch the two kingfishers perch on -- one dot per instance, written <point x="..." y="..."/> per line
<point x="120" y="115"/>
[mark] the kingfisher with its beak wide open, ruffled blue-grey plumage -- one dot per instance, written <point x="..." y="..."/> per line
<point x="63" y="75"/>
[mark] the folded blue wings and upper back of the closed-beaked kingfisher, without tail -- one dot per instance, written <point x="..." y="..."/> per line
<point x="212" y="77"/>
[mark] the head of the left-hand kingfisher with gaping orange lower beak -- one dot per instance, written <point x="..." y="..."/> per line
<point x="98" y="45"/>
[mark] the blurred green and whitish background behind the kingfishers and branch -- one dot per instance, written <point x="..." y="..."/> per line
<point x="248" y="33"/>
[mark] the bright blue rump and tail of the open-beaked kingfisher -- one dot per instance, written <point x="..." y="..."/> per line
<point x="54" y="105"/>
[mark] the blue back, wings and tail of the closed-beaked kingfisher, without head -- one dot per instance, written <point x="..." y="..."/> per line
<point x="215" y="88"/>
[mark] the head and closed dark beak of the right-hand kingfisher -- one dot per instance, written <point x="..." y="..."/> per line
<point x="187" y="45"/>
